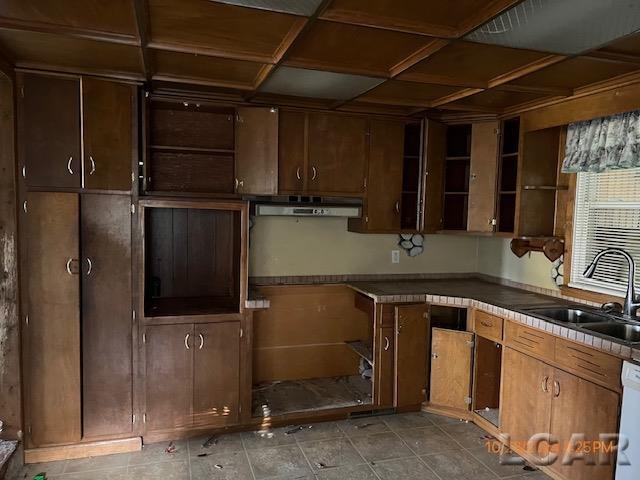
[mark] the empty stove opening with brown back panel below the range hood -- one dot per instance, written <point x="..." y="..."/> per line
<point x="312" y="350"/>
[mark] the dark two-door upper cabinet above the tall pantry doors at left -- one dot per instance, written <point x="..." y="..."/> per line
<point x="76" y="132"/>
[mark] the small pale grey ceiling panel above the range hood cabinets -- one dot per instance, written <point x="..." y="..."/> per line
<point x="300" y="82"/>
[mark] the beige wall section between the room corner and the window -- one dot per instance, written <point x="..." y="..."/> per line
<point x="495" y="258"/>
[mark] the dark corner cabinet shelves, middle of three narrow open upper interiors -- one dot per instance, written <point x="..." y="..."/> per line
<point x="456" y="177"/>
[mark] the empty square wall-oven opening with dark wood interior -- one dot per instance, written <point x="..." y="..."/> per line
<point x="193" y="257"/>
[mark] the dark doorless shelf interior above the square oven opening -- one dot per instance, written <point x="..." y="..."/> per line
<point x="191" y="148"/>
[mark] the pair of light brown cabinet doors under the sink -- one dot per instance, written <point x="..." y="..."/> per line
<point x="578" y="415"/>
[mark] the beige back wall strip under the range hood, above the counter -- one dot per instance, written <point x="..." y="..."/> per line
<point x="323" y="246"/>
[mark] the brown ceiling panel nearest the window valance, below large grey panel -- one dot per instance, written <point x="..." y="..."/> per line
<point x="576" y="72"/>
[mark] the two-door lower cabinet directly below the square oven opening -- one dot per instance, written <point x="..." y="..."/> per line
<point x="192" y="375"/>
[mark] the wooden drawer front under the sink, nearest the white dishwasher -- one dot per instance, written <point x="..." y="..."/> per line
<point x="589" y="363"/>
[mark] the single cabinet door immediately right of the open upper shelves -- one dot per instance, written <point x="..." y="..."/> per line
<point x="256" y="151"/>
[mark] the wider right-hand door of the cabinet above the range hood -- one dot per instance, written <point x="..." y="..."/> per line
<point x="337" y="154"/>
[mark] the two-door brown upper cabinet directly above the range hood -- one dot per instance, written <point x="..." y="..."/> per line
<point x="322" y="153"/>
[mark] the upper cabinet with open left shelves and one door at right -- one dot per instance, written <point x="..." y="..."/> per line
<point x="204" y="149"/>
